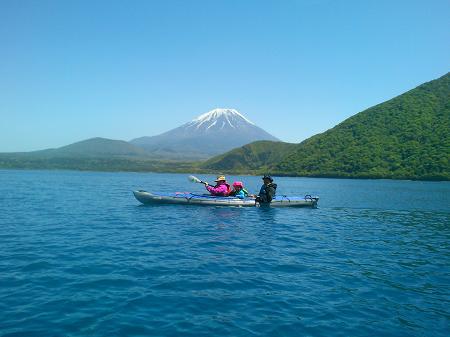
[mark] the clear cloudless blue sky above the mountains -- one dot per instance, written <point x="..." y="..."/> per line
<point x="72" y="70"/>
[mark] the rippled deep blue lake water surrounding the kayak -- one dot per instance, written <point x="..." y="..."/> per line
<point x="80" y="257"/>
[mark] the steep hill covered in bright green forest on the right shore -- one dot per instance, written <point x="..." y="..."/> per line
<point x="407" y="137"/>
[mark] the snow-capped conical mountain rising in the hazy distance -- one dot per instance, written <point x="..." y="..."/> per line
<point x="211" y="133"/>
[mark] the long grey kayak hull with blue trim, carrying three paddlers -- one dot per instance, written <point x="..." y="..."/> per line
<point x="148" y="198"/>
